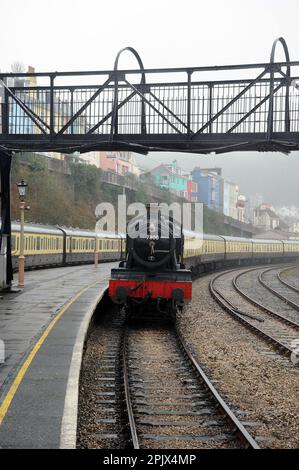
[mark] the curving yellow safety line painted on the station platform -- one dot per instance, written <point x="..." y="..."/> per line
<point x="18" y="380"/>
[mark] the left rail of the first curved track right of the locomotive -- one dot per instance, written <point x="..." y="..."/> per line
<point x="225" y="304"/>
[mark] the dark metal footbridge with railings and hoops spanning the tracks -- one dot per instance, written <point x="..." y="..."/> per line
<point x="165" y="109"/>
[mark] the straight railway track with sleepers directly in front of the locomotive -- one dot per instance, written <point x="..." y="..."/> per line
<point x="150" y="392"/>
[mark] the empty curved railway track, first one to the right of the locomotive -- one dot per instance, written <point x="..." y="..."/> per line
<point x="279" y="329"/>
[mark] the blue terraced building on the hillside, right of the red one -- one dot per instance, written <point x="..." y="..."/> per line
<point x="209" y="187"/>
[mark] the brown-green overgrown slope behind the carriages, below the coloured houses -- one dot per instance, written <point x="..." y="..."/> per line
<point x="69" y="198"/>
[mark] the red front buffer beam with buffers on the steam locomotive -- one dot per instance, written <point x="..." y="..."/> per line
<point x="126" y="284"/>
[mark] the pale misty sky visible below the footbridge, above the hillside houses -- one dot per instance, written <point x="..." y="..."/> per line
<point x="273" y="175"/>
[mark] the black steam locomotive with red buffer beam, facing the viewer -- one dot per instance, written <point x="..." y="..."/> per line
<point x="153" y="276"/>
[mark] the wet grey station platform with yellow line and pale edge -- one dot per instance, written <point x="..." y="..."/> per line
<point x="43" y="329"/>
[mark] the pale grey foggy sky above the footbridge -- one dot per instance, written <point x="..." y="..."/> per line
<point x="86" y="35"/>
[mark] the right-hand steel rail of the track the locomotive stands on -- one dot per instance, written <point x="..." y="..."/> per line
<point x="242" y="433"/>
